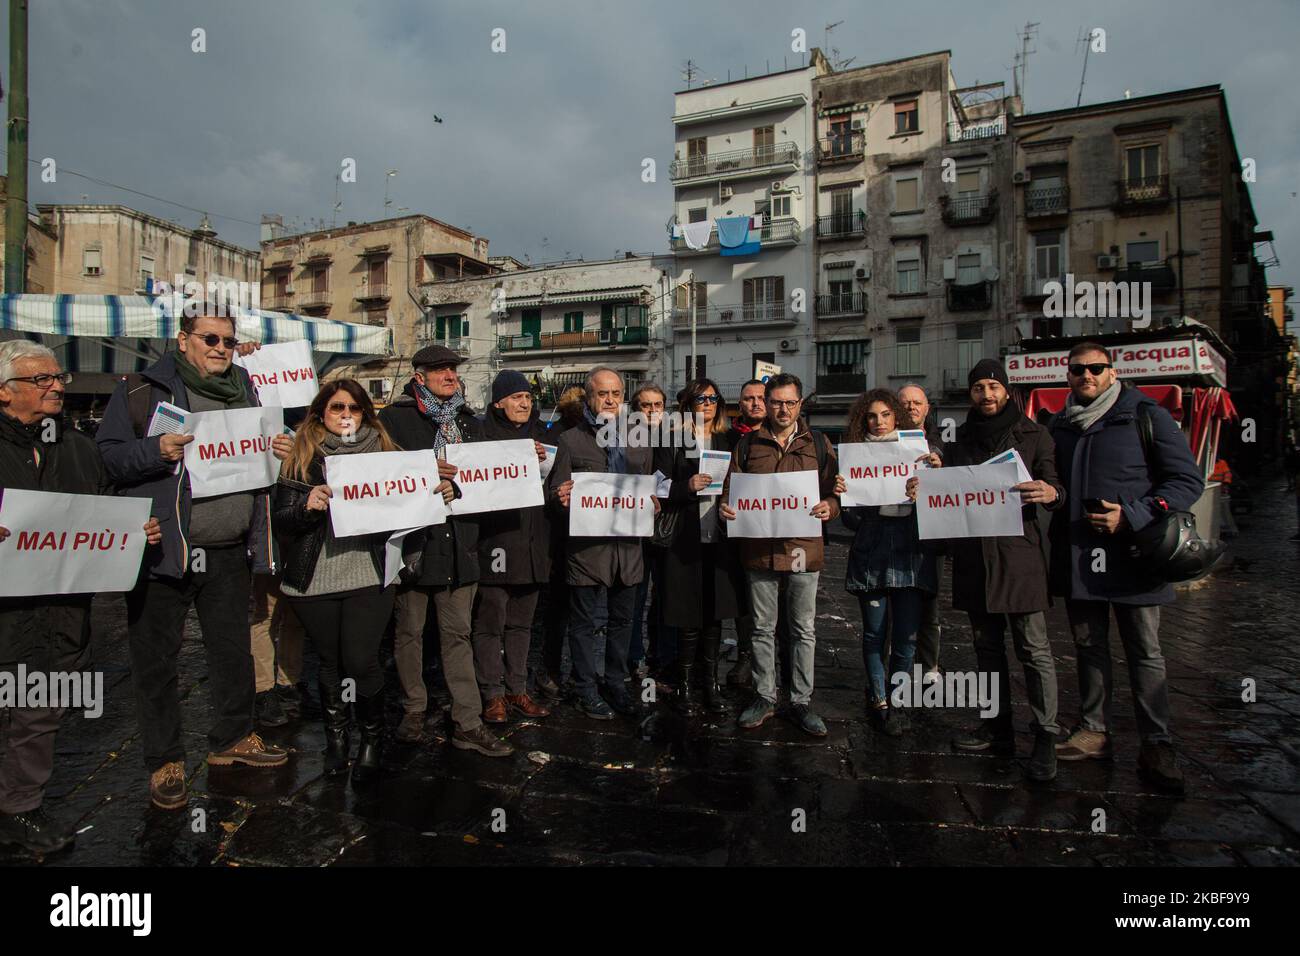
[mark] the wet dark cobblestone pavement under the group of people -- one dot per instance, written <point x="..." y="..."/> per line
<point x="669" y="793"/>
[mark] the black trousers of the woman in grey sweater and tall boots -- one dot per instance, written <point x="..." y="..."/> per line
<point x="346" y="630"/>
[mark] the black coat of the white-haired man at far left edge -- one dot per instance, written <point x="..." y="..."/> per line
<point x="47" y="633"/>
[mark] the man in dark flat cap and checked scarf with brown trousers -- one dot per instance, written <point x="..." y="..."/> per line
<point x="431" y="414"/>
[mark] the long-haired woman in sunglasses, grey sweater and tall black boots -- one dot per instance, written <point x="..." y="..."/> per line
<point x="336" y="586"/>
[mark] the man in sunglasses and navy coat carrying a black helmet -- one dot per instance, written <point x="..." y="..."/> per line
<point x="1113" y="487"/>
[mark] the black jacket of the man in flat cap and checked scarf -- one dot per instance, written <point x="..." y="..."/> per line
<point x="452" y="550"/>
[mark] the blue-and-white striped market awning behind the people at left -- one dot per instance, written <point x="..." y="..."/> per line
<point x="127" y="334"/>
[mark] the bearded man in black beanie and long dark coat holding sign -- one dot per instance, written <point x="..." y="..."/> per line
<point x="1003" y="582"/>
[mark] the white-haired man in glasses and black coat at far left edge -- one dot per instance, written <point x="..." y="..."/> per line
<point x="46" y="634"/>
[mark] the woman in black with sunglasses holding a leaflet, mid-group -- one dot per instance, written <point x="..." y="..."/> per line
<point x="701" y="570"/>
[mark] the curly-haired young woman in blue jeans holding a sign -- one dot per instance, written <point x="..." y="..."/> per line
<point x="891" y="570"/>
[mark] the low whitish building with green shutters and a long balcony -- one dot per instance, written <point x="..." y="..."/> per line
<point x="554" y="323"/>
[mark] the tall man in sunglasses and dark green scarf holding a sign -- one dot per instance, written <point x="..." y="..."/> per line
<point x="209" y="552"/>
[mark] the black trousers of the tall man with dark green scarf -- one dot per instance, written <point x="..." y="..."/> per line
<point x="155" y="625"/>
